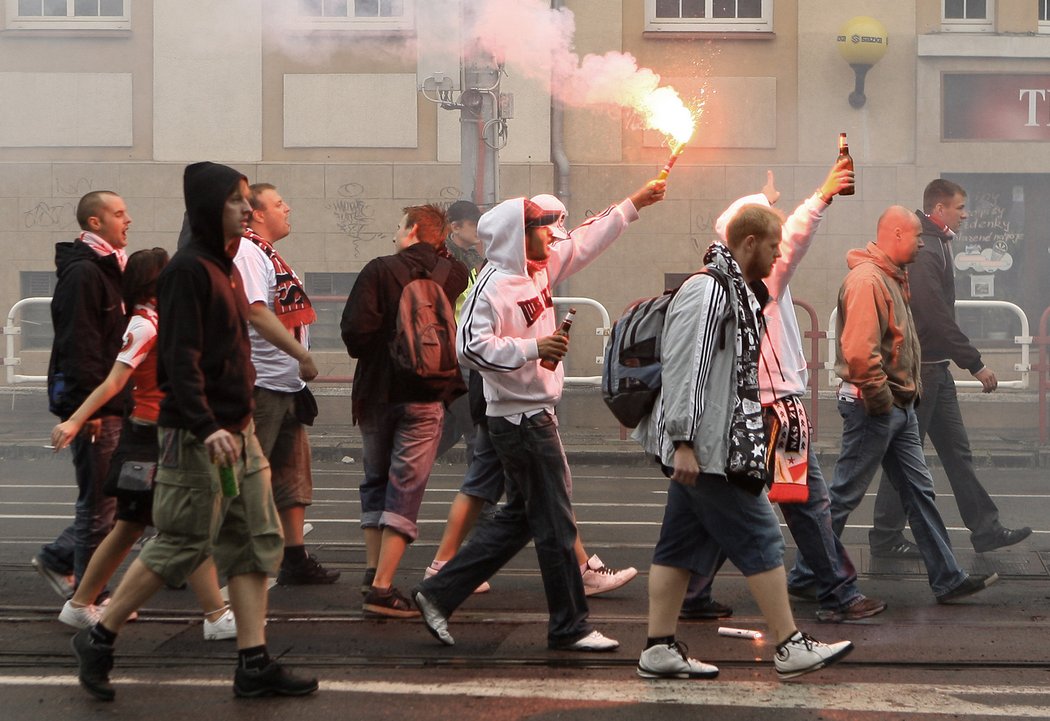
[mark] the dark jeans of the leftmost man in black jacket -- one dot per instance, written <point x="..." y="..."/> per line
<point x="95" y="512"/>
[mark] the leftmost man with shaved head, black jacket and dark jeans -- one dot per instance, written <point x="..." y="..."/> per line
<point x="88" y="315"/>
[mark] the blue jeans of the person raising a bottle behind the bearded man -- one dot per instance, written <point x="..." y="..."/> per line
<point x="810" y="524"/>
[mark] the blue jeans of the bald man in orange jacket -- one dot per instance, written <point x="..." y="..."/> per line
<point x="893" y="442"/>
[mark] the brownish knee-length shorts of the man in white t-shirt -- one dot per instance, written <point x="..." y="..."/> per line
<point x="285" y="443"/>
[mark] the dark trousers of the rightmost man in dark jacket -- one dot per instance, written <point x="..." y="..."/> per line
<point x="941" y="419"/>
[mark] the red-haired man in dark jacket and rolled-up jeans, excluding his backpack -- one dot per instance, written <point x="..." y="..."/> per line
<point x="400" y="414"/>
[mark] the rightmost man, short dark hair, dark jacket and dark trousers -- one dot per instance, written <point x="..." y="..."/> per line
<point x="933" y="283"/>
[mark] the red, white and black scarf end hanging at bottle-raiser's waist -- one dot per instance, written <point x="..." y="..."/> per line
<point x="790" y="438"/>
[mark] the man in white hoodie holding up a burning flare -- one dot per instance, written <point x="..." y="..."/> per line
<point x="507" y="328"/>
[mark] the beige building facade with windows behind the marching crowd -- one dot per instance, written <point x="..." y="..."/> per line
<point x="334" y="102"/>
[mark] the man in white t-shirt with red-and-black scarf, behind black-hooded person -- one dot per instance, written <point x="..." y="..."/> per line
<point x="281" y="314"/>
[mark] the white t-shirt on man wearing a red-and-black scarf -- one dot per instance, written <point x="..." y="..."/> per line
<point x="275" y="369"/>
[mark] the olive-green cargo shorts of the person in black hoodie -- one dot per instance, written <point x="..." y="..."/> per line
<point x="195" y="521"/>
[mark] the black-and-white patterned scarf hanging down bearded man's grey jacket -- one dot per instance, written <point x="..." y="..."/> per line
<point x="749" y="453"/>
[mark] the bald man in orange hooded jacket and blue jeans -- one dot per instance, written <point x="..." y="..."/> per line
<point x="877" y="357"/>
